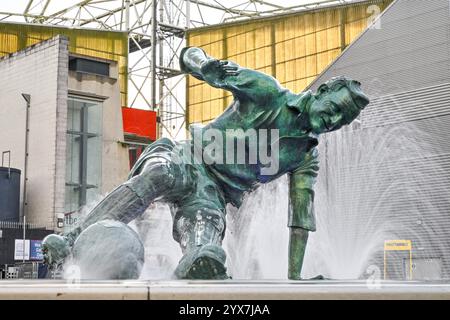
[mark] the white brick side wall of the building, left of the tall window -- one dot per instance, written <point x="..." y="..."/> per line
<point x="40" y="71"/>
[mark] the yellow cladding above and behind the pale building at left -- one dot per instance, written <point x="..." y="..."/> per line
<point x="101" y="44"/>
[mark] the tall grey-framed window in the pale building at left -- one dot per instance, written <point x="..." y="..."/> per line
<point x="84" y="152"/>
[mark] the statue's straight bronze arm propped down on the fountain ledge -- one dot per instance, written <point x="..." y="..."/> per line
<point x="301" y="212"/>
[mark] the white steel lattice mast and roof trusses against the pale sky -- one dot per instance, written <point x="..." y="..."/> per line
<point x="154" y="79"/>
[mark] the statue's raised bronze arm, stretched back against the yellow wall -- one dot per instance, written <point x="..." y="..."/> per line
<point x="223" y="74"/>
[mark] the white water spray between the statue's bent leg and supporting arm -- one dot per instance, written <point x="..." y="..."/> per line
<point x="256" y="239"/>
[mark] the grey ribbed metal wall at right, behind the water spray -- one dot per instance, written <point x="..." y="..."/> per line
<point x="388" y="177"/>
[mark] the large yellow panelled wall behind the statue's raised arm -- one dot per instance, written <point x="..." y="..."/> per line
<point x="293" y="48"/>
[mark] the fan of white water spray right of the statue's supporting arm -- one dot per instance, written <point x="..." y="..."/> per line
<point x="372" y="190"/>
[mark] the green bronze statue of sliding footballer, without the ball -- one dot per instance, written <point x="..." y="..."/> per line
<point x="199" y="191"/>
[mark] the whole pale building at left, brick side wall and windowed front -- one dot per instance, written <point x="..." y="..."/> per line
<point x="75" y="138"/>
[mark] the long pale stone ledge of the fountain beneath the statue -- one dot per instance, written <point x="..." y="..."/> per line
<point x="223" y="290"/>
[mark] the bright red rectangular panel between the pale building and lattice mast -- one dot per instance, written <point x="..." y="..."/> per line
<point x="139" y="122"/>
